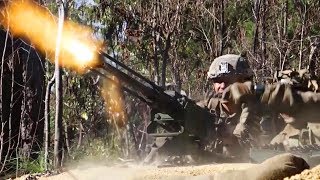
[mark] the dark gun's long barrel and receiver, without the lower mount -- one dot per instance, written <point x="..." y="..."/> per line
<point x="174" y="112"/>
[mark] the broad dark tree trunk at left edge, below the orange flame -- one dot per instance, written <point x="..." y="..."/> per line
<point x="22" y="96"/>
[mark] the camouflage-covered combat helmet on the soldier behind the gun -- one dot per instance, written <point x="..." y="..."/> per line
<point x="229" y="65"/>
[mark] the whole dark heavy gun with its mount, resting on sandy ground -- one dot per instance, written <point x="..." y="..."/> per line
<point x="179" y="126"/>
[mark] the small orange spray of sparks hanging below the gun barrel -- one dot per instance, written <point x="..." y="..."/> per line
<point x="114" y="102"/>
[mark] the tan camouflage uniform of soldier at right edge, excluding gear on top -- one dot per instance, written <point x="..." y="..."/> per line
<point x="299" y="109"/>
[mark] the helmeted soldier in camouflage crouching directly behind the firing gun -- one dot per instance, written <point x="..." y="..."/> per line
<point x="241" y="118"/>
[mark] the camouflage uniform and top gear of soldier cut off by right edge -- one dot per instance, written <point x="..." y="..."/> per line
<point x="305" y="85"/>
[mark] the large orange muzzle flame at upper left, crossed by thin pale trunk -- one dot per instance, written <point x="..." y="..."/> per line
<point x="30" y="21"/>
